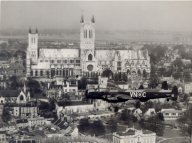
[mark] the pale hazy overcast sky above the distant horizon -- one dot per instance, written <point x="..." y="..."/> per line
<point x="110" y="16"/>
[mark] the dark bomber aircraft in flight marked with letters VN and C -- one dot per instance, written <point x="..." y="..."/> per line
<point x="125" y="95"/>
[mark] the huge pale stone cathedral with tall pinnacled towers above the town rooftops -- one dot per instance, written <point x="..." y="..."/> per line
<point x="88" y="59"/>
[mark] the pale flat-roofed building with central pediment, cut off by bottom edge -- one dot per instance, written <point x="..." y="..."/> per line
<point x="134" y="136"/>
